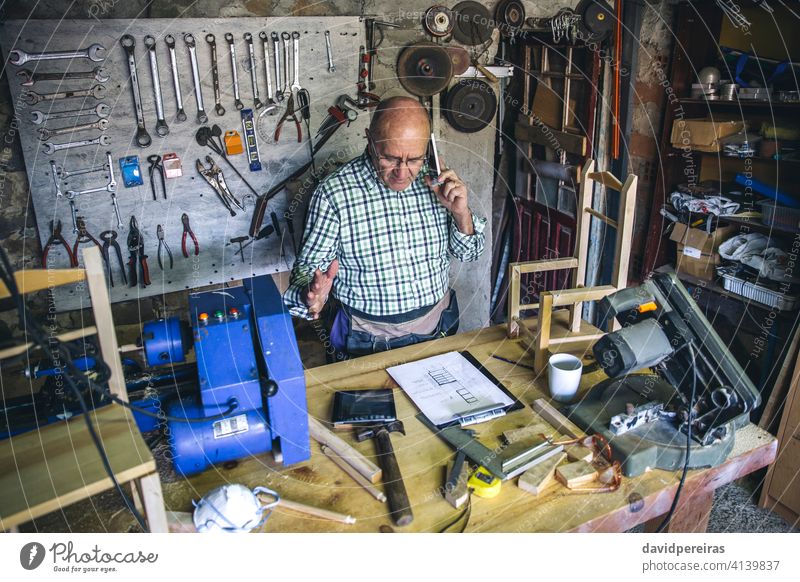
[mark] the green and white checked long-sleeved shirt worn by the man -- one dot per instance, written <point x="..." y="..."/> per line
<point x="392" y="246"/>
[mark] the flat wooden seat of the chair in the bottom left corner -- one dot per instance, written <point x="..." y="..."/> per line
<point x="44" y="470"/>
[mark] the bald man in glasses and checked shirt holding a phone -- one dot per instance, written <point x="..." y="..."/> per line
<point x="377" y="238"/>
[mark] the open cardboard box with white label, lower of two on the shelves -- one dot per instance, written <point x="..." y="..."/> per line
<point x="697" y="250"/>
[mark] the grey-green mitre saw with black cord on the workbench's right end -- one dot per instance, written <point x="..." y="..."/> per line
<point x="698" y="389"/>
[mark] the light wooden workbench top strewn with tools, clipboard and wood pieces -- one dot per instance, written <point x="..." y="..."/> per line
<point x="423" y="459"/>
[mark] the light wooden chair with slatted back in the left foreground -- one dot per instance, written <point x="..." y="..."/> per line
<point x="44" y="470"/>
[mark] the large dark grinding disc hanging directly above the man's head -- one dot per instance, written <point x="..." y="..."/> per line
<point x="424" y="69"/>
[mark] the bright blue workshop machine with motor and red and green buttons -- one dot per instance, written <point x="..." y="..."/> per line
<point x="247" y="356"/>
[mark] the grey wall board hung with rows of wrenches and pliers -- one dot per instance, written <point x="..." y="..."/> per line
<point x="148" y="177"/>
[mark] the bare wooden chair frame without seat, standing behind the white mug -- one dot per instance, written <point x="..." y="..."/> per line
<point x="575" y="296"/>
